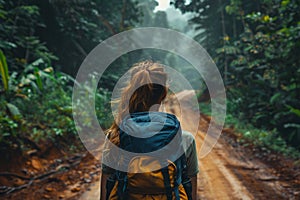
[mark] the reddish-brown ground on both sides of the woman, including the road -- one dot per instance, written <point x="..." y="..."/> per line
<point x="229" y="171"/>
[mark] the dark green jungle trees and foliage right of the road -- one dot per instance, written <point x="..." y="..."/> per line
<point x="256" y="45"/>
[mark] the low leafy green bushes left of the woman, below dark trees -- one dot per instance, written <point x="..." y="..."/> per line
<point x="38" y="107"/>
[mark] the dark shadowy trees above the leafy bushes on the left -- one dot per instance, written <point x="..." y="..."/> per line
<point x="68" y="28"/>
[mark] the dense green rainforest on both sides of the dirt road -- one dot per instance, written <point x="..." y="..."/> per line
<point x="255" y="45"/>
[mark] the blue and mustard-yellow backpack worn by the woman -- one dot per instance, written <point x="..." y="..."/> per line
<point x="169" y="181"/>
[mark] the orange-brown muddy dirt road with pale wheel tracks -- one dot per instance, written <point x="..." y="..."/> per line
<point x="227" y="172"/>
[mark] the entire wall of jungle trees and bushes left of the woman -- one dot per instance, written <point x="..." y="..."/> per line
<point x="42" y="44"/>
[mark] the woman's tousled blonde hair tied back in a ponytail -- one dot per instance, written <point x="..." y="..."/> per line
<point x="146" y="87"/>
